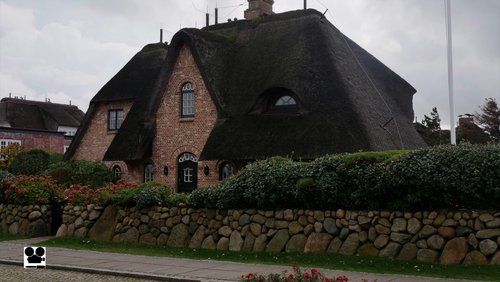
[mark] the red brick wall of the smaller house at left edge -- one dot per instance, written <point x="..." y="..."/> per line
<point x="51" y="141"/>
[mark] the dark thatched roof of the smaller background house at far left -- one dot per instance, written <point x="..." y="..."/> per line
<point x="35" y="115"/>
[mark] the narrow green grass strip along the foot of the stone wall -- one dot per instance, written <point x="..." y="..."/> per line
<point x="327" y="261"/>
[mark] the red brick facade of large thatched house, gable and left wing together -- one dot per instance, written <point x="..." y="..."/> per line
<point x="175" y="135"/>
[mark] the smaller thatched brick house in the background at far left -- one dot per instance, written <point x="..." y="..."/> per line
<point x="38" y="125"/>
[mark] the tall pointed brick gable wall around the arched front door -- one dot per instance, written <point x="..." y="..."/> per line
<point x="176" y="135"/>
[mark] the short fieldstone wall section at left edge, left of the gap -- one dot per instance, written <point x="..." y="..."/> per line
<point x="32" y="220"/>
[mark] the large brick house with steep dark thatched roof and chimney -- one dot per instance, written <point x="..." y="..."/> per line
<point x="193" y="112"/>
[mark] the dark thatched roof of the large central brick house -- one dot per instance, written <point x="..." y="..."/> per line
<point x="349" y="100"/>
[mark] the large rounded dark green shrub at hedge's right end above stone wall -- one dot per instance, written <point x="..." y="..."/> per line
<point x="445" y="177"/>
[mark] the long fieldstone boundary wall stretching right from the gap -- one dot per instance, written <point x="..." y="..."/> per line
<point x="447" y="237"/>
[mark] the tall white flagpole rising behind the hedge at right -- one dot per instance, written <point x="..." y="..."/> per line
<point x="447" y="9"/>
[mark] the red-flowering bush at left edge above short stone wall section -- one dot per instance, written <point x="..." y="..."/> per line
<point x="32" y="189"/>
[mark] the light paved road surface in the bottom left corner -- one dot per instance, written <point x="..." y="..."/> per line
<point x="11" y="273"/>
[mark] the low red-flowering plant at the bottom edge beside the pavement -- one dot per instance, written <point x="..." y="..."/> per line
<point x="313" y="275"/>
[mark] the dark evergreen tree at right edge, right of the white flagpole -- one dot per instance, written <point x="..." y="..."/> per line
<point x="489" y="118"/>
